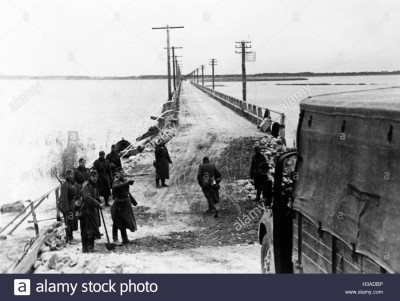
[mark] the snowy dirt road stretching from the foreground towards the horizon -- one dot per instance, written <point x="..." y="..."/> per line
<point x="175" y="235"/>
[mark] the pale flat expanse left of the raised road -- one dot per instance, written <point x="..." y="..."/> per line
<point x="36" y="115"/>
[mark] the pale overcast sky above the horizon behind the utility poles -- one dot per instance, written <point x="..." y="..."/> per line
<point x="110" y="37"/>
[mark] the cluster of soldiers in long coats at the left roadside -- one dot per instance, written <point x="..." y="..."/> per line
<point x="85" y="192"/>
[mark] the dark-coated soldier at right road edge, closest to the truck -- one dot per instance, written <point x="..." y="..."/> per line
<point x="259" y="173"/>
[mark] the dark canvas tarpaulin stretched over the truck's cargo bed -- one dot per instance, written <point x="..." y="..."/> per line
<point x="349" y="170"/>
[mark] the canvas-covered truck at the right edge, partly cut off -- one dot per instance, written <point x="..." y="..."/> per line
<point x="343" y="211"/>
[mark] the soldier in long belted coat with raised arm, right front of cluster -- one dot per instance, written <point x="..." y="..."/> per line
<point x="121" y="210"/>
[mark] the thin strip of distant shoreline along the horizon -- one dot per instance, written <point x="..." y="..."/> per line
<point x="221" y="77"/>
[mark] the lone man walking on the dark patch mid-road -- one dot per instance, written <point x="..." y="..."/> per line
<point x="209" y="178"/>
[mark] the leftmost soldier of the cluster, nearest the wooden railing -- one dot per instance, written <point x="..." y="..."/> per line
<point x="68" y="197"/>
